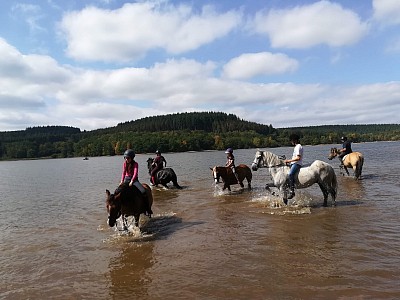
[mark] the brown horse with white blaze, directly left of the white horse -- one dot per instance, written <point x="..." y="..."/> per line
<point x="229" y="178"/>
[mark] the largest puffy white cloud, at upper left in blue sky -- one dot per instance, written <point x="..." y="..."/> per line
<point x="127" y="33"/>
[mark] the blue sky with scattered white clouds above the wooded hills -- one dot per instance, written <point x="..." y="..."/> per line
<point x="95" y="63"/>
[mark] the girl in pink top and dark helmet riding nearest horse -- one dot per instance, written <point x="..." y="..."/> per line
<point x="130" y="174"/>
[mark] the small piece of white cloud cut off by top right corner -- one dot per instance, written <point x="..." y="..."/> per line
<point x="387" y="11"/>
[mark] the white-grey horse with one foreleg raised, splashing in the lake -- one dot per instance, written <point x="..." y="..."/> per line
<point x="318" y="172"/>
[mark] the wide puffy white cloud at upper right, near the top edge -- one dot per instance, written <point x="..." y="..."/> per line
<point x="323" y="22"/>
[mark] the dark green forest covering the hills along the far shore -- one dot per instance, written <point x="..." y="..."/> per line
<point x="195" y="131"/>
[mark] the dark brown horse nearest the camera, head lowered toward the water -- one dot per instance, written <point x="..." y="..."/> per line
<point x="127" y="201"/>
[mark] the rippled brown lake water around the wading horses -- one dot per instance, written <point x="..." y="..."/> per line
<point x="202" y="243"/>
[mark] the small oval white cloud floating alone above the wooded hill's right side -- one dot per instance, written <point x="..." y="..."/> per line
<point x="249" y="65"/>
